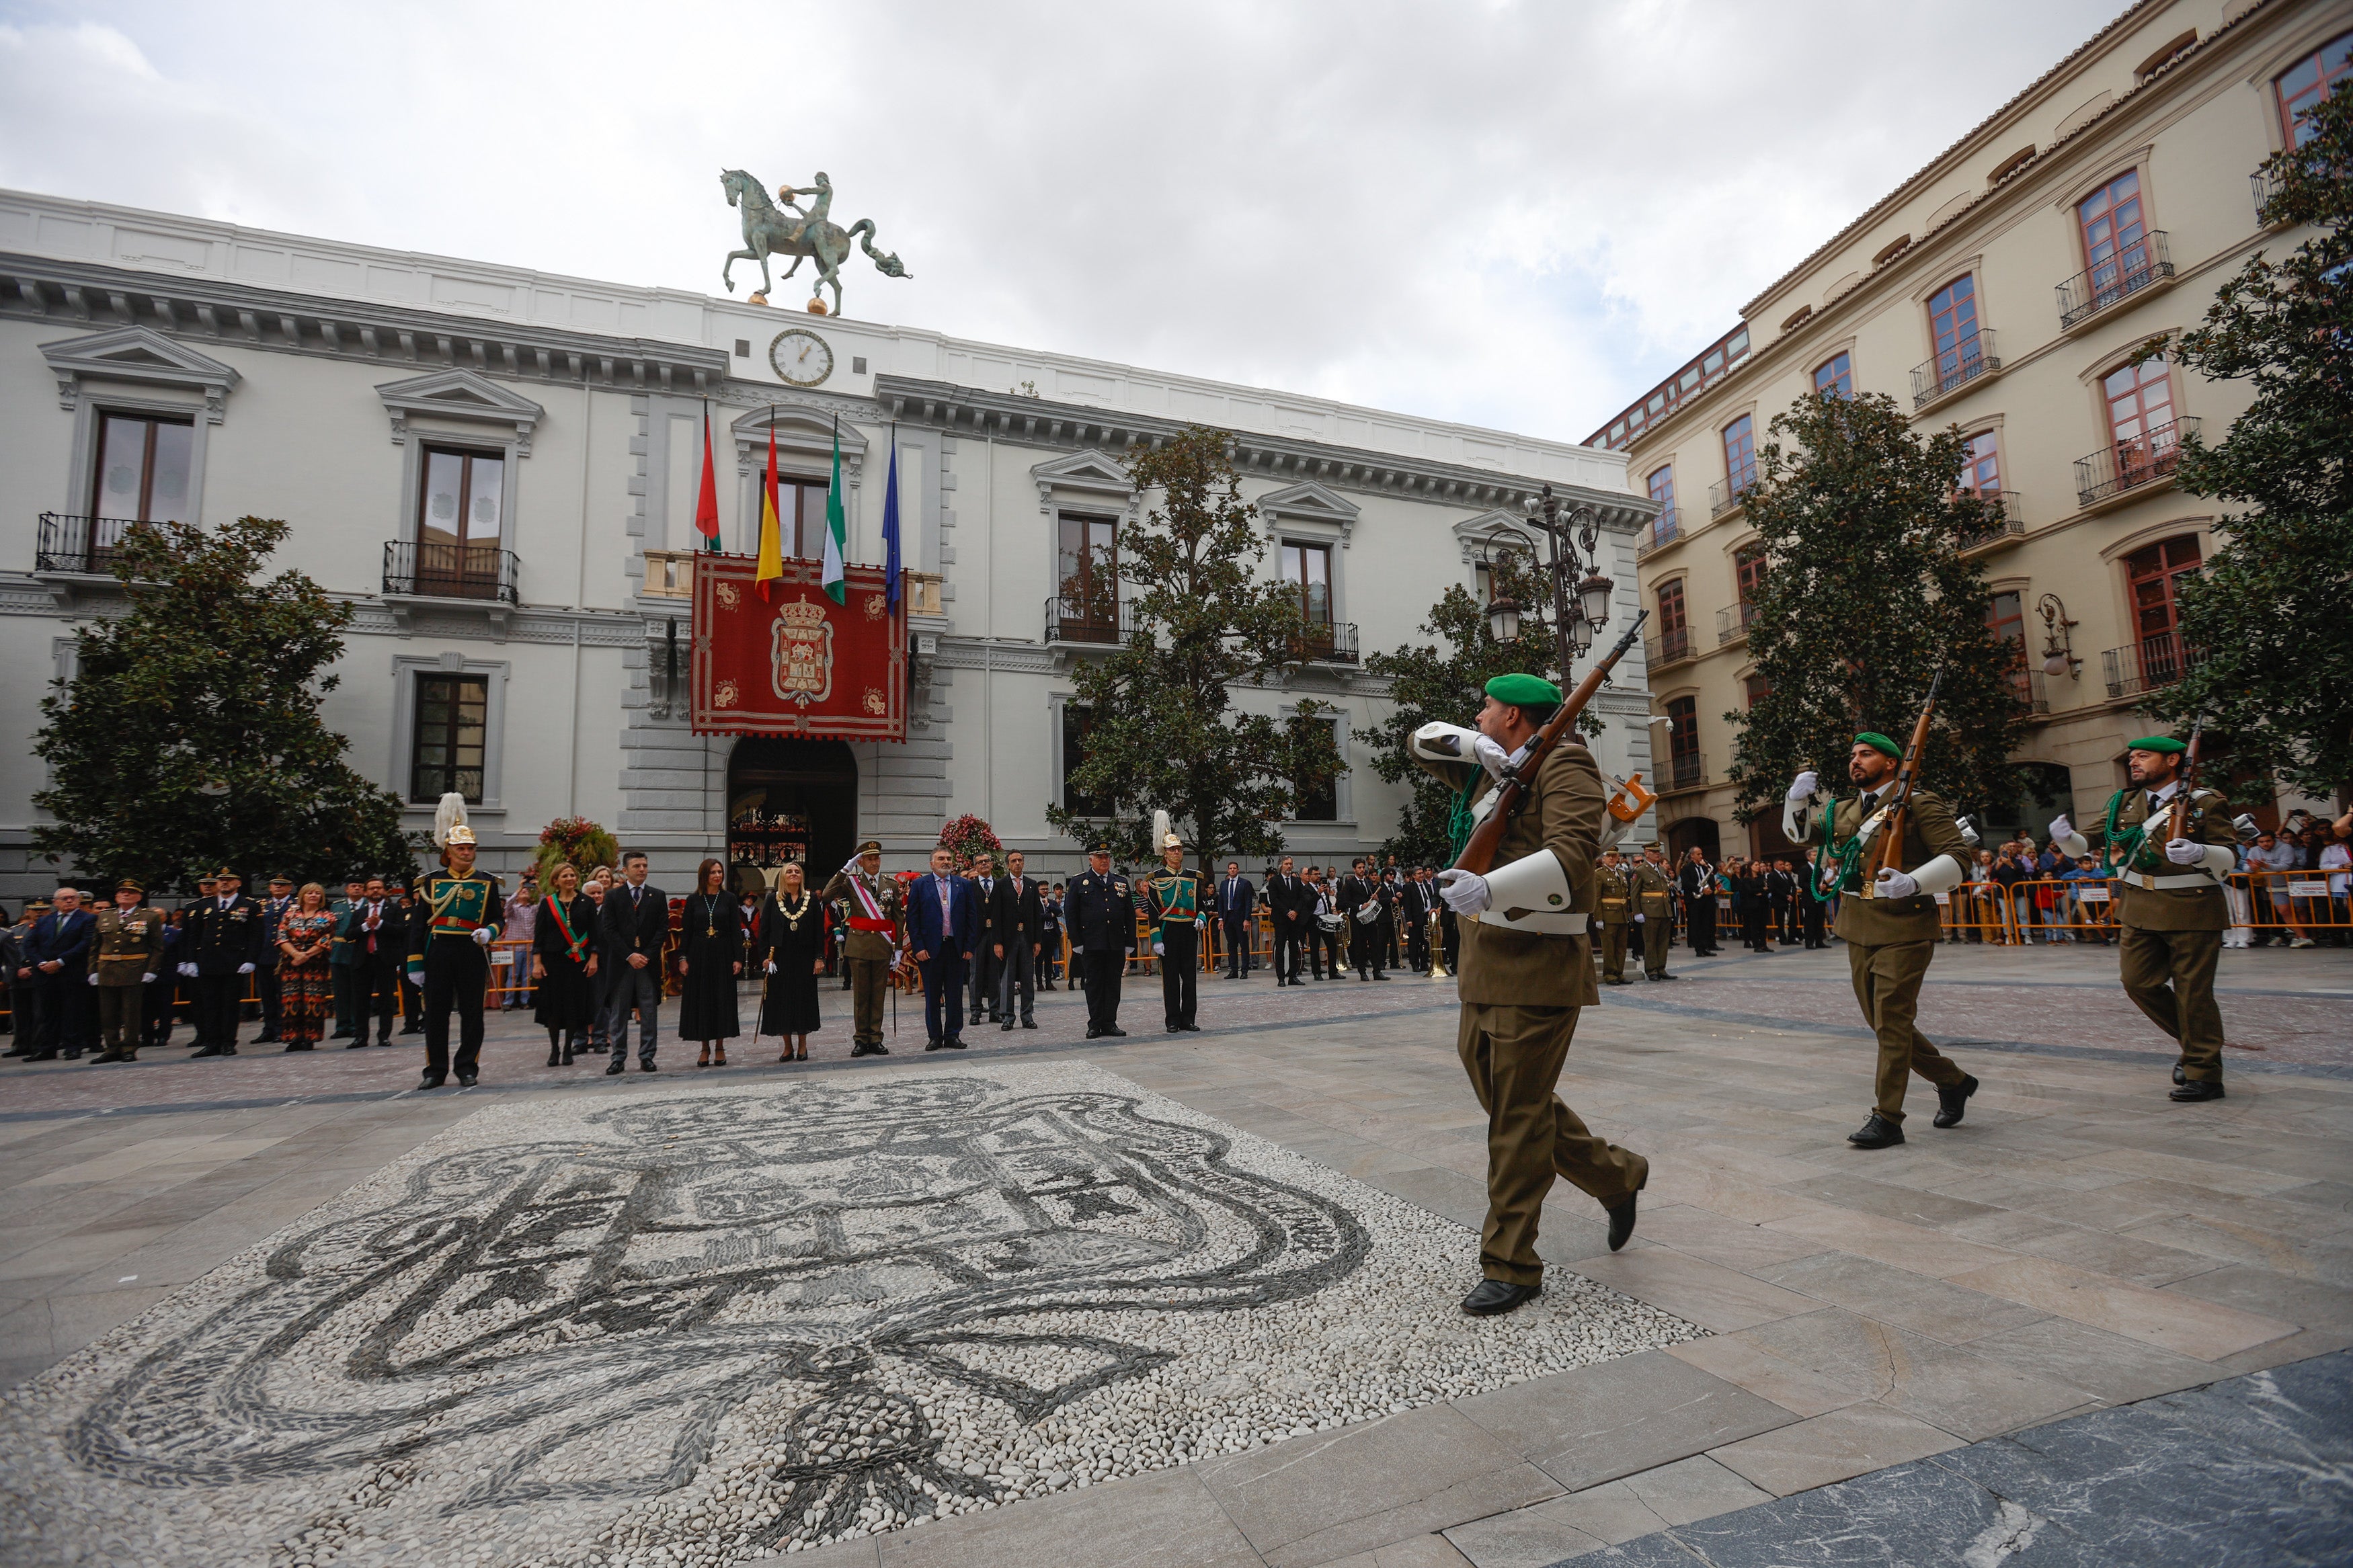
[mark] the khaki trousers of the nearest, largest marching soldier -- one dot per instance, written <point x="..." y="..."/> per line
<point x="1514" y="1057"/>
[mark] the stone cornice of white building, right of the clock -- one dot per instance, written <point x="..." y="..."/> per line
<point x="1036" y="422"/>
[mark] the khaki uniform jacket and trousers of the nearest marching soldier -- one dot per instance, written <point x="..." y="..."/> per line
<point x="1521" y="993"/>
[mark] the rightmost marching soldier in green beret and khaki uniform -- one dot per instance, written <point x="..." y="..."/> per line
<point x="2168" y="902"/>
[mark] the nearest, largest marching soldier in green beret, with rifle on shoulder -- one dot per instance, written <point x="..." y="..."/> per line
<point x="1526" y="970"/>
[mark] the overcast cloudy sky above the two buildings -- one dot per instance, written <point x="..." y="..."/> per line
<point x="1514" y="215"/>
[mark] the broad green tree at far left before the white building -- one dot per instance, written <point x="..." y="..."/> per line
<point x="192" y="737"/>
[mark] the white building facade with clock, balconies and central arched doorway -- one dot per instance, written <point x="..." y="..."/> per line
<point x="498" y="469"/>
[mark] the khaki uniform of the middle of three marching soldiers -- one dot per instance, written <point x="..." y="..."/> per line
<point x="1891" y="944"/>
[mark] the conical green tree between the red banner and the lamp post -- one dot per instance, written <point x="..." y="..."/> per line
<point x="1164" y="728"/>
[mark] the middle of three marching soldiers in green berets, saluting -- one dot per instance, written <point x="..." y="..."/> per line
<point x="1891" y="927"/>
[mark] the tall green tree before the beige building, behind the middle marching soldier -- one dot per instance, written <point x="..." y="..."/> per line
<point x="1867" y="596"/>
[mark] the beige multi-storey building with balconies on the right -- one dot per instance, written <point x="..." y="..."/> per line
<point x="2001" y="290"/>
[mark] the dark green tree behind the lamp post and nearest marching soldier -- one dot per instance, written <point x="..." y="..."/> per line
<point x="1446" y="683"/>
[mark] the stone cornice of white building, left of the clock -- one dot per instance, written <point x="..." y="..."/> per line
<point x="371" y="333"/>
